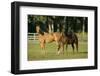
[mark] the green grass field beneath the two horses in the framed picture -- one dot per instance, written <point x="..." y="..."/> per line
<point x="35" y="52"/>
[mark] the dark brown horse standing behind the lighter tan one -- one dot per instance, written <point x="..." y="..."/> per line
<point x="67" y="39"/>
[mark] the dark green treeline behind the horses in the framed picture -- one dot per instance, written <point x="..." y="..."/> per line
<point x="57" y="23"/>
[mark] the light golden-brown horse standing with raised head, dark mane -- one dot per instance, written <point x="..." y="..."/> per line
<point x="48" y="38"/>
